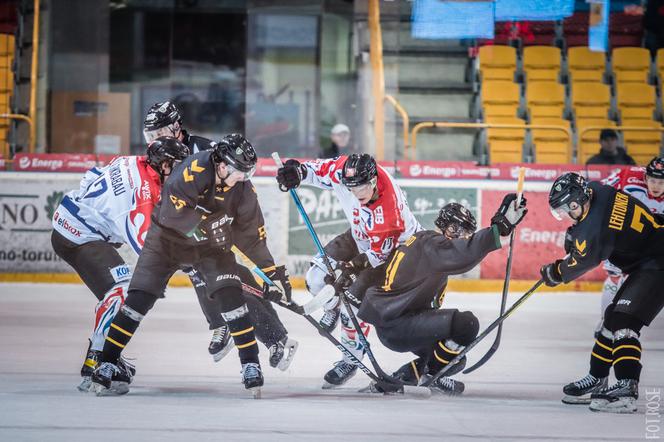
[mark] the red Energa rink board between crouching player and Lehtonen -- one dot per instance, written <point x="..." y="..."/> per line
<point x="539" y="240"/>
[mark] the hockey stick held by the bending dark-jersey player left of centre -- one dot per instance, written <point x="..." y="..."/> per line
<point x="384" y="384"/>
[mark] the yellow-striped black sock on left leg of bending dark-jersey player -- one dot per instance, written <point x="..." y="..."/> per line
<point x="125" y="323"/>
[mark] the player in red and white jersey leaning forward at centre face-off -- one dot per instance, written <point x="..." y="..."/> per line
<point x="380" y="220"/>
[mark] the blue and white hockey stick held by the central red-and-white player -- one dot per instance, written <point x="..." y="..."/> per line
<point x="387" y="383"/>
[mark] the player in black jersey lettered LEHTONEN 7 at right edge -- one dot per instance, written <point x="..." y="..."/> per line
<point x="610" y="224"/>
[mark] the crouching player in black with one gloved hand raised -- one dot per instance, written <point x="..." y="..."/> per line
<point x="406" y="308"/>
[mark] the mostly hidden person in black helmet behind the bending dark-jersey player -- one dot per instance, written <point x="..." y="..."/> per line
<point x="165" y="118"/>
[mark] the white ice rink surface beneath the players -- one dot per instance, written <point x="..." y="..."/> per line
<point x="180" y="394"/>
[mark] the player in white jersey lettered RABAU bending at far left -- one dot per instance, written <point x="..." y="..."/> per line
<point x="111" y="207"/>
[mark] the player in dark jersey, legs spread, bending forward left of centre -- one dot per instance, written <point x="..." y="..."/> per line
<point x="207" y="205"/>
